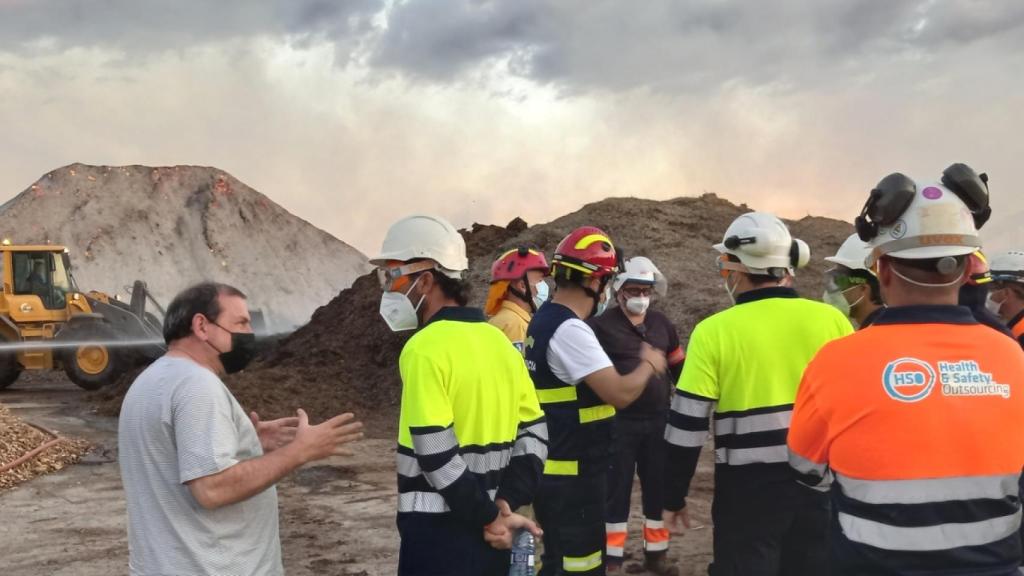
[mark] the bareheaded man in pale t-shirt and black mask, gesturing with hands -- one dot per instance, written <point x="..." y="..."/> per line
<point x="199" y="474"/>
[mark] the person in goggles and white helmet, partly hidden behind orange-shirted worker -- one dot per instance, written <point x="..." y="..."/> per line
<point x="850" y="287"/>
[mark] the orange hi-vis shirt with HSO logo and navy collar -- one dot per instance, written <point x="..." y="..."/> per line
<point x="921" y="420"/>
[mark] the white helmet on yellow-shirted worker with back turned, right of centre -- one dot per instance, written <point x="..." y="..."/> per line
<point x="762" y="242"/>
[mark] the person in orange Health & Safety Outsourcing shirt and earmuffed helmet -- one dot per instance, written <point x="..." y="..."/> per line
<point x="919" y="422"/>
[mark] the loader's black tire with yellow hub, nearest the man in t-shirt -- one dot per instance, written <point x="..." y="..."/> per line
<point x="90" y="366"/>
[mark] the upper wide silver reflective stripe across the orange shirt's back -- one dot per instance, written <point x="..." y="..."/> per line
<point x="931" y="490"/>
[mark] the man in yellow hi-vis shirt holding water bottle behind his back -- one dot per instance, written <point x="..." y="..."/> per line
<point x="473" y="439"/>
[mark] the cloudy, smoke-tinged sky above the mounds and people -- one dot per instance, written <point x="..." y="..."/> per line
<point x="353" y="113"/>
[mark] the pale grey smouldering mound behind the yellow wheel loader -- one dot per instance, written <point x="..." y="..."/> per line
<point x="173" y="227"/>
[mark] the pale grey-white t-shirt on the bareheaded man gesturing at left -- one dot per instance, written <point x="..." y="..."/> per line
<point x="180" y="423"/>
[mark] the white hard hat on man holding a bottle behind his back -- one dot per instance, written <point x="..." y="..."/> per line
<point x="425" y="237"/>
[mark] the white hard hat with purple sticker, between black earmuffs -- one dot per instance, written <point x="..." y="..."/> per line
<point x="935" y="225"/>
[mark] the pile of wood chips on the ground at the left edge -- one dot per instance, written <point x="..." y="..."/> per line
<point x="18" y="438"/>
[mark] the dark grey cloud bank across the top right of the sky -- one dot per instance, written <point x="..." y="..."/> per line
<point x="668" y="46"/>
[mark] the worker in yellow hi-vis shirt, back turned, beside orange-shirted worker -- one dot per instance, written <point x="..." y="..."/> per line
<point x="743" y="369"/>
